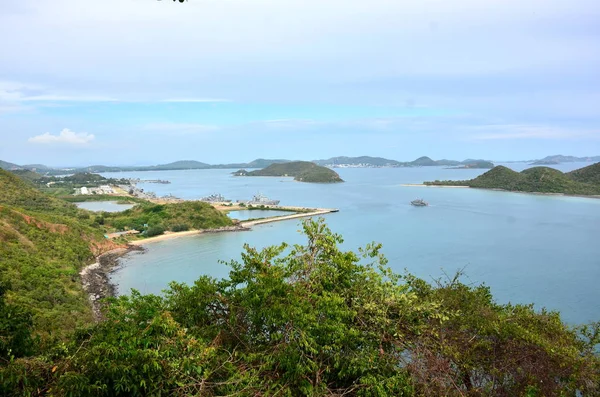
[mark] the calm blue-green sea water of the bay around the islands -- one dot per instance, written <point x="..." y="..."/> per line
<point x="527" y="248"/>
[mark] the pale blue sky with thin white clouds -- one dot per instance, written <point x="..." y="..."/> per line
<point x="140" y="82"/>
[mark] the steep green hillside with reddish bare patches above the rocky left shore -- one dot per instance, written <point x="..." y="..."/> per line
<point x="44" y="243"/>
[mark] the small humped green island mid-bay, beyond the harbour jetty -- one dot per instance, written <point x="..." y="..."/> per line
<point x="302" y="171"/>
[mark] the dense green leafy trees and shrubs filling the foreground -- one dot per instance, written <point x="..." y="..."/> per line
<point x="316" y="321"/>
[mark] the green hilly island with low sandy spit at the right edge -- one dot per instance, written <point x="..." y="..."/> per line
<point x="584" y="181"/>
